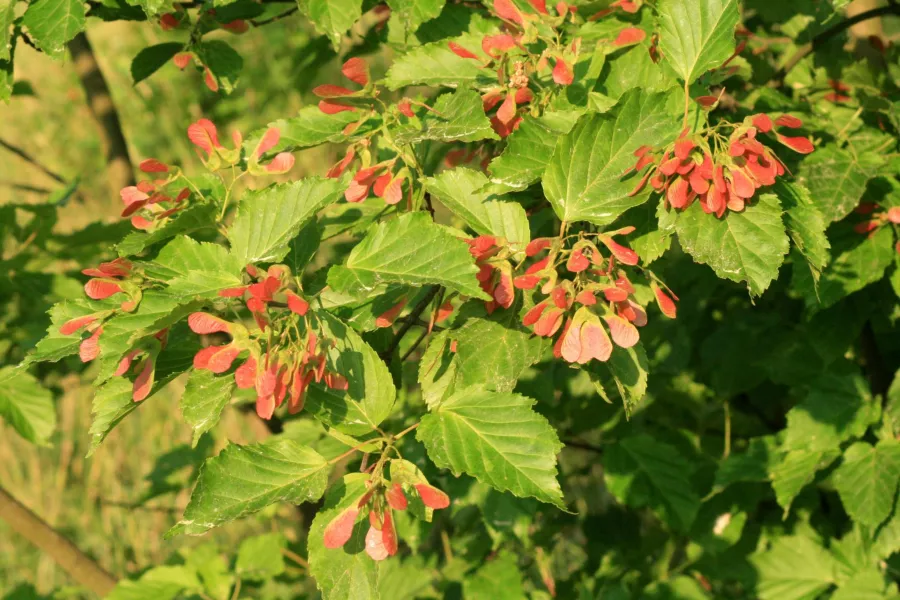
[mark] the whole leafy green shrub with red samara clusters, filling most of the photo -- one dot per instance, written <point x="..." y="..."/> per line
<point x="600" y="301"/>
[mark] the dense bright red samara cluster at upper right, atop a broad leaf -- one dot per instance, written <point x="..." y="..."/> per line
<point x="723" y="180"/>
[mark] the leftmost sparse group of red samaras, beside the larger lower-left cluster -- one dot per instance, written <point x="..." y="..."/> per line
<point x="108" y="279"/>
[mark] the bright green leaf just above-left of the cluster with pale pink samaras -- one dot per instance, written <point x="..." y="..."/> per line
<point x="459" y="190"/>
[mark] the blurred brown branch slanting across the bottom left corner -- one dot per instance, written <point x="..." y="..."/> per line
<point x="76" y="563"/>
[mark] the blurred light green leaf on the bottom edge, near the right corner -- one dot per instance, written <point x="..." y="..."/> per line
<point x="794" y="568"/>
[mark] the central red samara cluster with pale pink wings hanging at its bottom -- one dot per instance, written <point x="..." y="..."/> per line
<point x="583" y="337"/>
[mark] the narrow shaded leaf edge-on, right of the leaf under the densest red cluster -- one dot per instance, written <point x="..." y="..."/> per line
<point x="805" y="223"/>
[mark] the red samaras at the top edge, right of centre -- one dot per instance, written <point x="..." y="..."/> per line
<point x="513" y="91"/>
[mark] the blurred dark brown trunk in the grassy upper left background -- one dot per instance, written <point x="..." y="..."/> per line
<point x="120" y="172"/>
